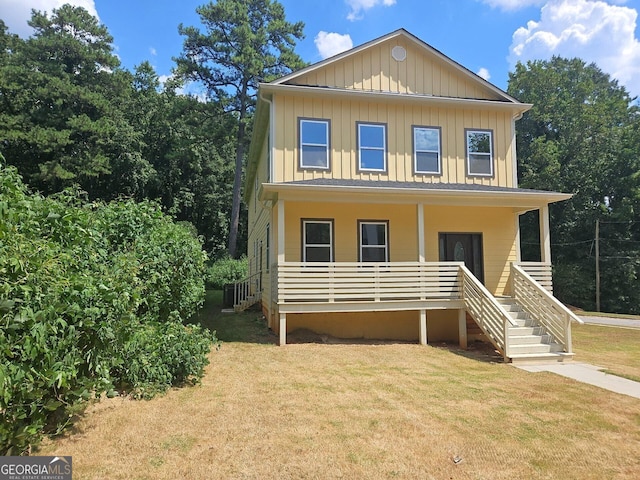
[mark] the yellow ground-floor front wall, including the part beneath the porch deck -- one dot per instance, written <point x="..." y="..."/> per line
<point x="499" y="249"/>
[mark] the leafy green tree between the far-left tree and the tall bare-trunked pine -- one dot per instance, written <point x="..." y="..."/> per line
<point x="186" y="141"/>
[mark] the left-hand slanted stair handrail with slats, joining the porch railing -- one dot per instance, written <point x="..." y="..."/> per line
<point x="507" y="320"/>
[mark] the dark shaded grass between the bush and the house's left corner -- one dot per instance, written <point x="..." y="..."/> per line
<point x="244" y="327"/>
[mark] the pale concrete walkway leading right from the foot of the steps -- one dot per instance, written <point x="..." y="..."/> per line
<point x="587" y="373"/>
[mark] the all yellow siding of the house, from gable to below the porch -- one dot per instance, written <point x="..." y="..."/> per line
<point x="369" y="85"/>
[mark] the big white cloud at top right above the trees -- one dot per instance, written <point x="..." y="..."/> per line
<point x="594" y="31"/>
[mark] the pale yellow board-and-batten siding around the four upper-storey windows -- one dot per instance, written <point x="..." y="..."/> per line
<point x="399" y="119"/>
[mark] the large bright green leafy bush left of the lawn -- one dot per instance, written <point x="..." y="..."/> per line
<point x="91" y="297"/>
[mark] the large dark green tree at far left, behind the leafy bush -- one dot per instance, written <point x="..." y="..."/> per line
<point x="60" y="92"/>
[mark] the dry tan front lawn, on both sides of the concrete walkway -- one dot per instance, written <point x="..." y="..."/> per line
<point x="324" y="411"/>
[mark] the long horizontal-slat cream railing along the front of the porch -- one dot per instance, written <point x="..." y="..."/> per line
<point x="356" y="282"/>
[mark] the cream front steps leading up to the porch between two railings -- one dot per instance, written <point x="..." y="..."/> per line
<point x="529" y="342"/>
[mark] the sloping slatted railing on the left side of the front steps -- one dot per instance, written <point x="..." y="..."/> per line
<point x="490" y="316"/>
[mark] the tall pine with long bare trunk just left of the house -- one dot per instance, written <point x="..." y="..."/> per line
<point x="244" y="42"/>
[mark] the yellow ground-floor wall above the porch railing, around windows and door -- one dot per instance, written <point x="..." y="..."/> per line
<point x="496" y="225"/>
